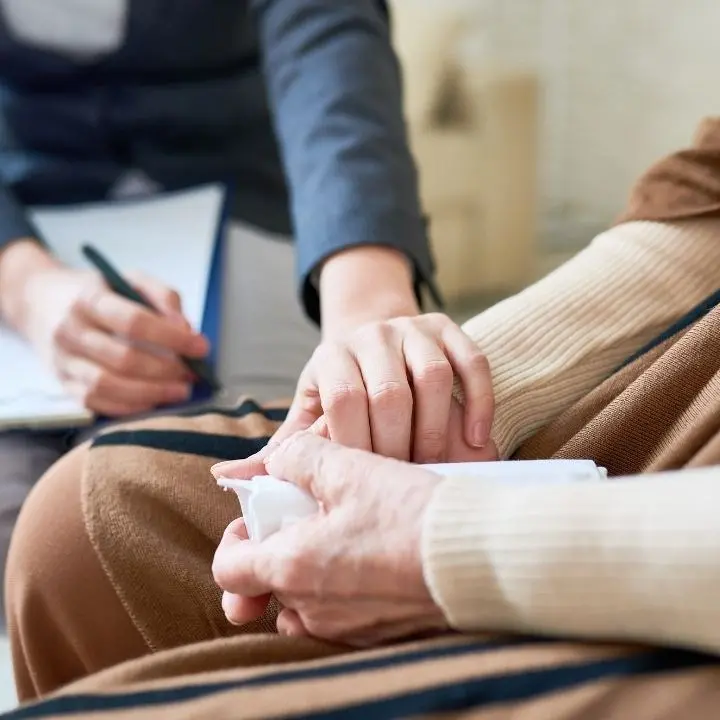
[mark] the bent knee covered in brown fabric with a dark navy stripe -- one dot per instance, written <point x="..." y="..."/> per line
<point x="112" y="555"/>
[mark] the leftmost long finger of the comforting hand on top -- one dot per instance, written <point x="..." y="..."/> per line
<point x="343" y="397"/>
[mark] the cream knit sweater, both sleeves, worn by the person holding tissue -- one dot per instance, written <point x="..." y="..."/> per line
<point x="637" y="559"/>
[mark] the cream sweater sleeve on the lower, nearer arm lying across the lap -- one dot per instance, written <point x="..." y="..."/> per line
<point x="634" y="559"/>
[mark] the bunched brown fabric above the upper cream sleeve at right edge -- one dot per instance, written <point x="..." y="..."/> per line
<point x="683" y="185"/>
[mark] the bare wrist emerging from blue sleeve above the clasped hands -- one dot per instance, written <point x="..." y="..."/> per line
<point x="365" y="284"/>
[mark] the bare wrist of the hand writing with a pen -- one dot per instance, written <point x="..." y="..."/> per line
<point x="20" y="260"/>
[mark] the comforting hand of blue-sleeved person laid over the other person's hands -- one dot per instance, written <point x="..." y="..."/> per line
<point x="387" y="387"/>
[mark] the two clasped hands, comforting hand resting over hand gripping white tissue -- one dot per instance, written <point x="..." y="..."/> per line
<point x="353" y="573"/>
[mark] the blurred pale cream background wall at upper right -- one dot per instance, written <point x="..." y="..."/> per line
<point x="619" y="83"/>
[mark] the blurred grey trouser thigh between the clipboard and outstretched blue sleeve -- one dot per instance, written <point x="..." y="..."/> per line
<point x="265" y="337"/>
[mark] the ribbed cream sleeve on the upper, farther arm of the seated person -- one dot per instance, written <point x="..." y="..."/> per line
<point x="551" y="344"/>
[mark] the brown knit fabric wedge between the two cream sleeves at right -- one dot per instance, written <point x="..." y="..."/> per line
<point x="661" y="412"/>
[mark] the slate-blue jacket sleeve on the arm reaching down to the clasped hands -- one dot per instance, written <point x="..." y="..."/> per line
<point x="336" y="94"/>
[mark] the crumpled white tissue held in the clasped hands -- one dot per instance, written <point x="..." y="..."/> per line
<point x="269" y="504"/>
